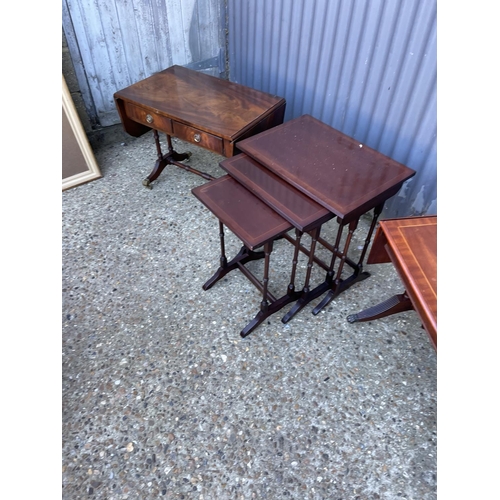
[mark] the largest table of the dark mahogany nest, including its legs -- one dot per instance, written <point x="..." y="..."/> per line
<point x="347" y="178"/>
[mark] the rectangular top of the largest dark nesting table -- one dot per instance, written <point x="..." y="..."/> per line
<point x="335" y="170"/>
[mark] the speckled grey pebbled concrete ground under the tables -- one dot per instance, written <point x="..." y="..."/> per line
<point x="161" y="396"/>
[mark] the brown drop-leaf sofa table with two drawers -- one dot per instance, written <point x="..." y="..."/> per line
<point x="201" y="109"/>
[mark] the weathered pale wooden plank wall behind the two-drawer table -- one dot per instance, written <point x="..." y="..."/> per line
<point x="115" y="43"/>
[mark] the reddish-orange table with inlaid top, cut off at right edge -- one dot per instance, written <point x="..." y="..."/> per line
<point x="411" y="245"/>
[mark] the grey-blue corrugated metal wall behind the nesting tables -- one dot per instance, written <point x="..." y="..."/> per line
<point x="365" y="67"/>
